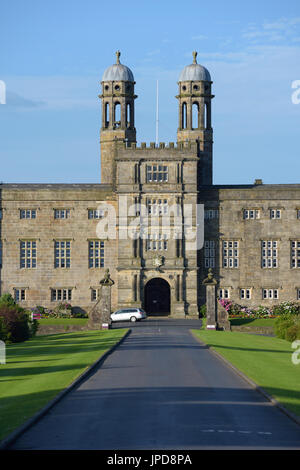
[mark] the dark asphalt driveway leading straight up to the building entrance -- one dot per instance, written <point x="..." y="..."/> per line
<point x="161" y="389"/>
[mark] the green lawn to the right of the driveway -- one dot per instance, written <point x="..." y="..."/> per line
<point x="266" y="360"/>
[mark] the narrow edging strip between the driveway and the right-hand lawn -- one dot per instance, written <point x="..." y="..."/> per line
<point x="251" y="382"/>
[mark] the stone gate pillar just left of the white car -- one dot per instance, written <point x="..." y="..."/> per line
<point x="99" y="316"/>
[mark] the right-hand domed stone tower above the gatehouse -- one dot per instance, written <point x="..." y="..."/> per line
<point x="195" y="115"/>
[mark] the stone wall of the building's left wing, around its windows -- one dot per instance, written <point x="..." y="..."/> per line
<point x="45" y="229"/>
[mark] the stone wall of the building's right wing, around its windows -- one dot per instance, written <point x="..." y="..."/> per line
<point x="230" y="225"/>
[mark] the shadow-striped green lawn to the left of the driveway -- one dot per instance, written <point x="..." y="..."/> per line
<point x="38" y="369"/>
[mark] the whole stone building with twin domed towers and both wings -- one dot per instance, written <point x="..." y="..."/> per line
<point x="56" y="240"/>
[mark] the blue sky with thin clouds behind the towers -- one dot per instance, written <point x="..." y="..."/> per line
<point x="53" y="54"/>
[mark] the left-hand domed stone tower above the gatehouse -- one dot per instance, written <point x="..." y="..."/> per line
<point x="117" y="115"/>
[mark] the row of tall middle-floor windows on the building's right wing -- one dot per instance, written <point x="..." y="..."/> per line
<point x="230" y="253"/>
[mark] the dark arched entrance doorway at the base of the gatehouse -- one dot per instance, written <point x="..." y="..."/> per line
<point x="157" y="297"/>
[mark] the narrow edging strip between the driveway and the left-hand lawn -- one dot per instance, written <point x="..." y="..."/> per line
<point x="12" y="437"/>
